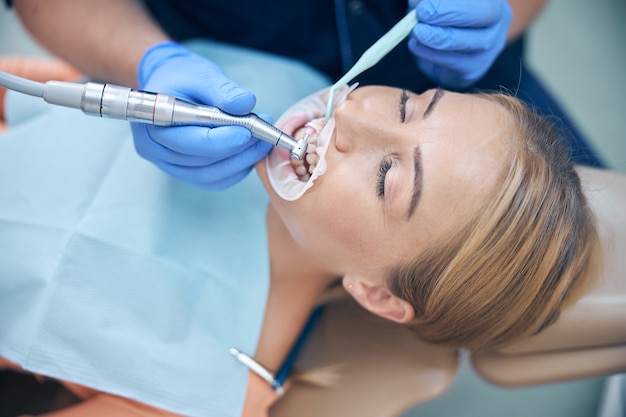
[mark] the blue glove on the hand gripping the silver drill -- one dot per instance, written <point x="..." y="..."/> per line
<point x="212" y="158"/>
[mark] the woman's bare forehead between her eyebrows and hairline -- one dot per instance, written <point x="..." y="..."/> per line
<point x="463" y="158"/>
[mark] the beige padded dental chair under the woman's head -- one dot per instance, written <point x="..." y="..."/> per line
<point x="385" y="370"/>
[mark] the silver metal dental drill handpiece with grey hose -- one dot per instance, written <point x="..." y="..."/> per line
<point x="116" y="102"/>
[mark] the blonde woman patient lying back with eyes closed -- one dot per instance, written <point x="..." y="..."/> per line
<point x="458" y="215"/>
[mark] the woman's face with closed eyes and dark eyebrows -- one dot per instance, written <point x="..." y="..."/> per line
<point x="403" y="169"/>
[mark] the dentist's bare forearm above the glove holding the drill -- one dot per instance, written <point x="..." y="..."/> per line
<point x="104" y="39"/>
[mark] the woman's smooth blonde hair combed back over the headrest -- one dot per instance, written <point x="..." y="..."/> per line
<point x="527" y="254"/>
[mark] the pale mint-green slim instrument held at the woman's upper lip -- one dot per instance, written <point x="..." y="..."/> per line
<point x="374" y="53"/>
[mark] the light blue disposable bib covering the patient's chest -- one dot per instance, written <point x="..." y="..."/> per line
<point x="117" y="277"/>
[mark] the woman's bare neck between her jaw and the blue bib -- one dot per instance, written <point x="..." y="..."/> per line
<point x="297" y="283"/>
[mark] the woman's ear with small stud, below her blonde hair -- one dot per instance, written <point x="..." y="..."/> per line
<point x="377" y="299"/>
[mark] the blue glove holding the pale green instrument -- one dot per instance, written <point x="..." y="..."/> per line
<point x="456" y="41"/>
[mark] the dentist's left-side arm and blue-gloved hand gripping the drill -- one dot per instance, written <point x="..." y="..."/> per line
<point x="116" y="41"/>
